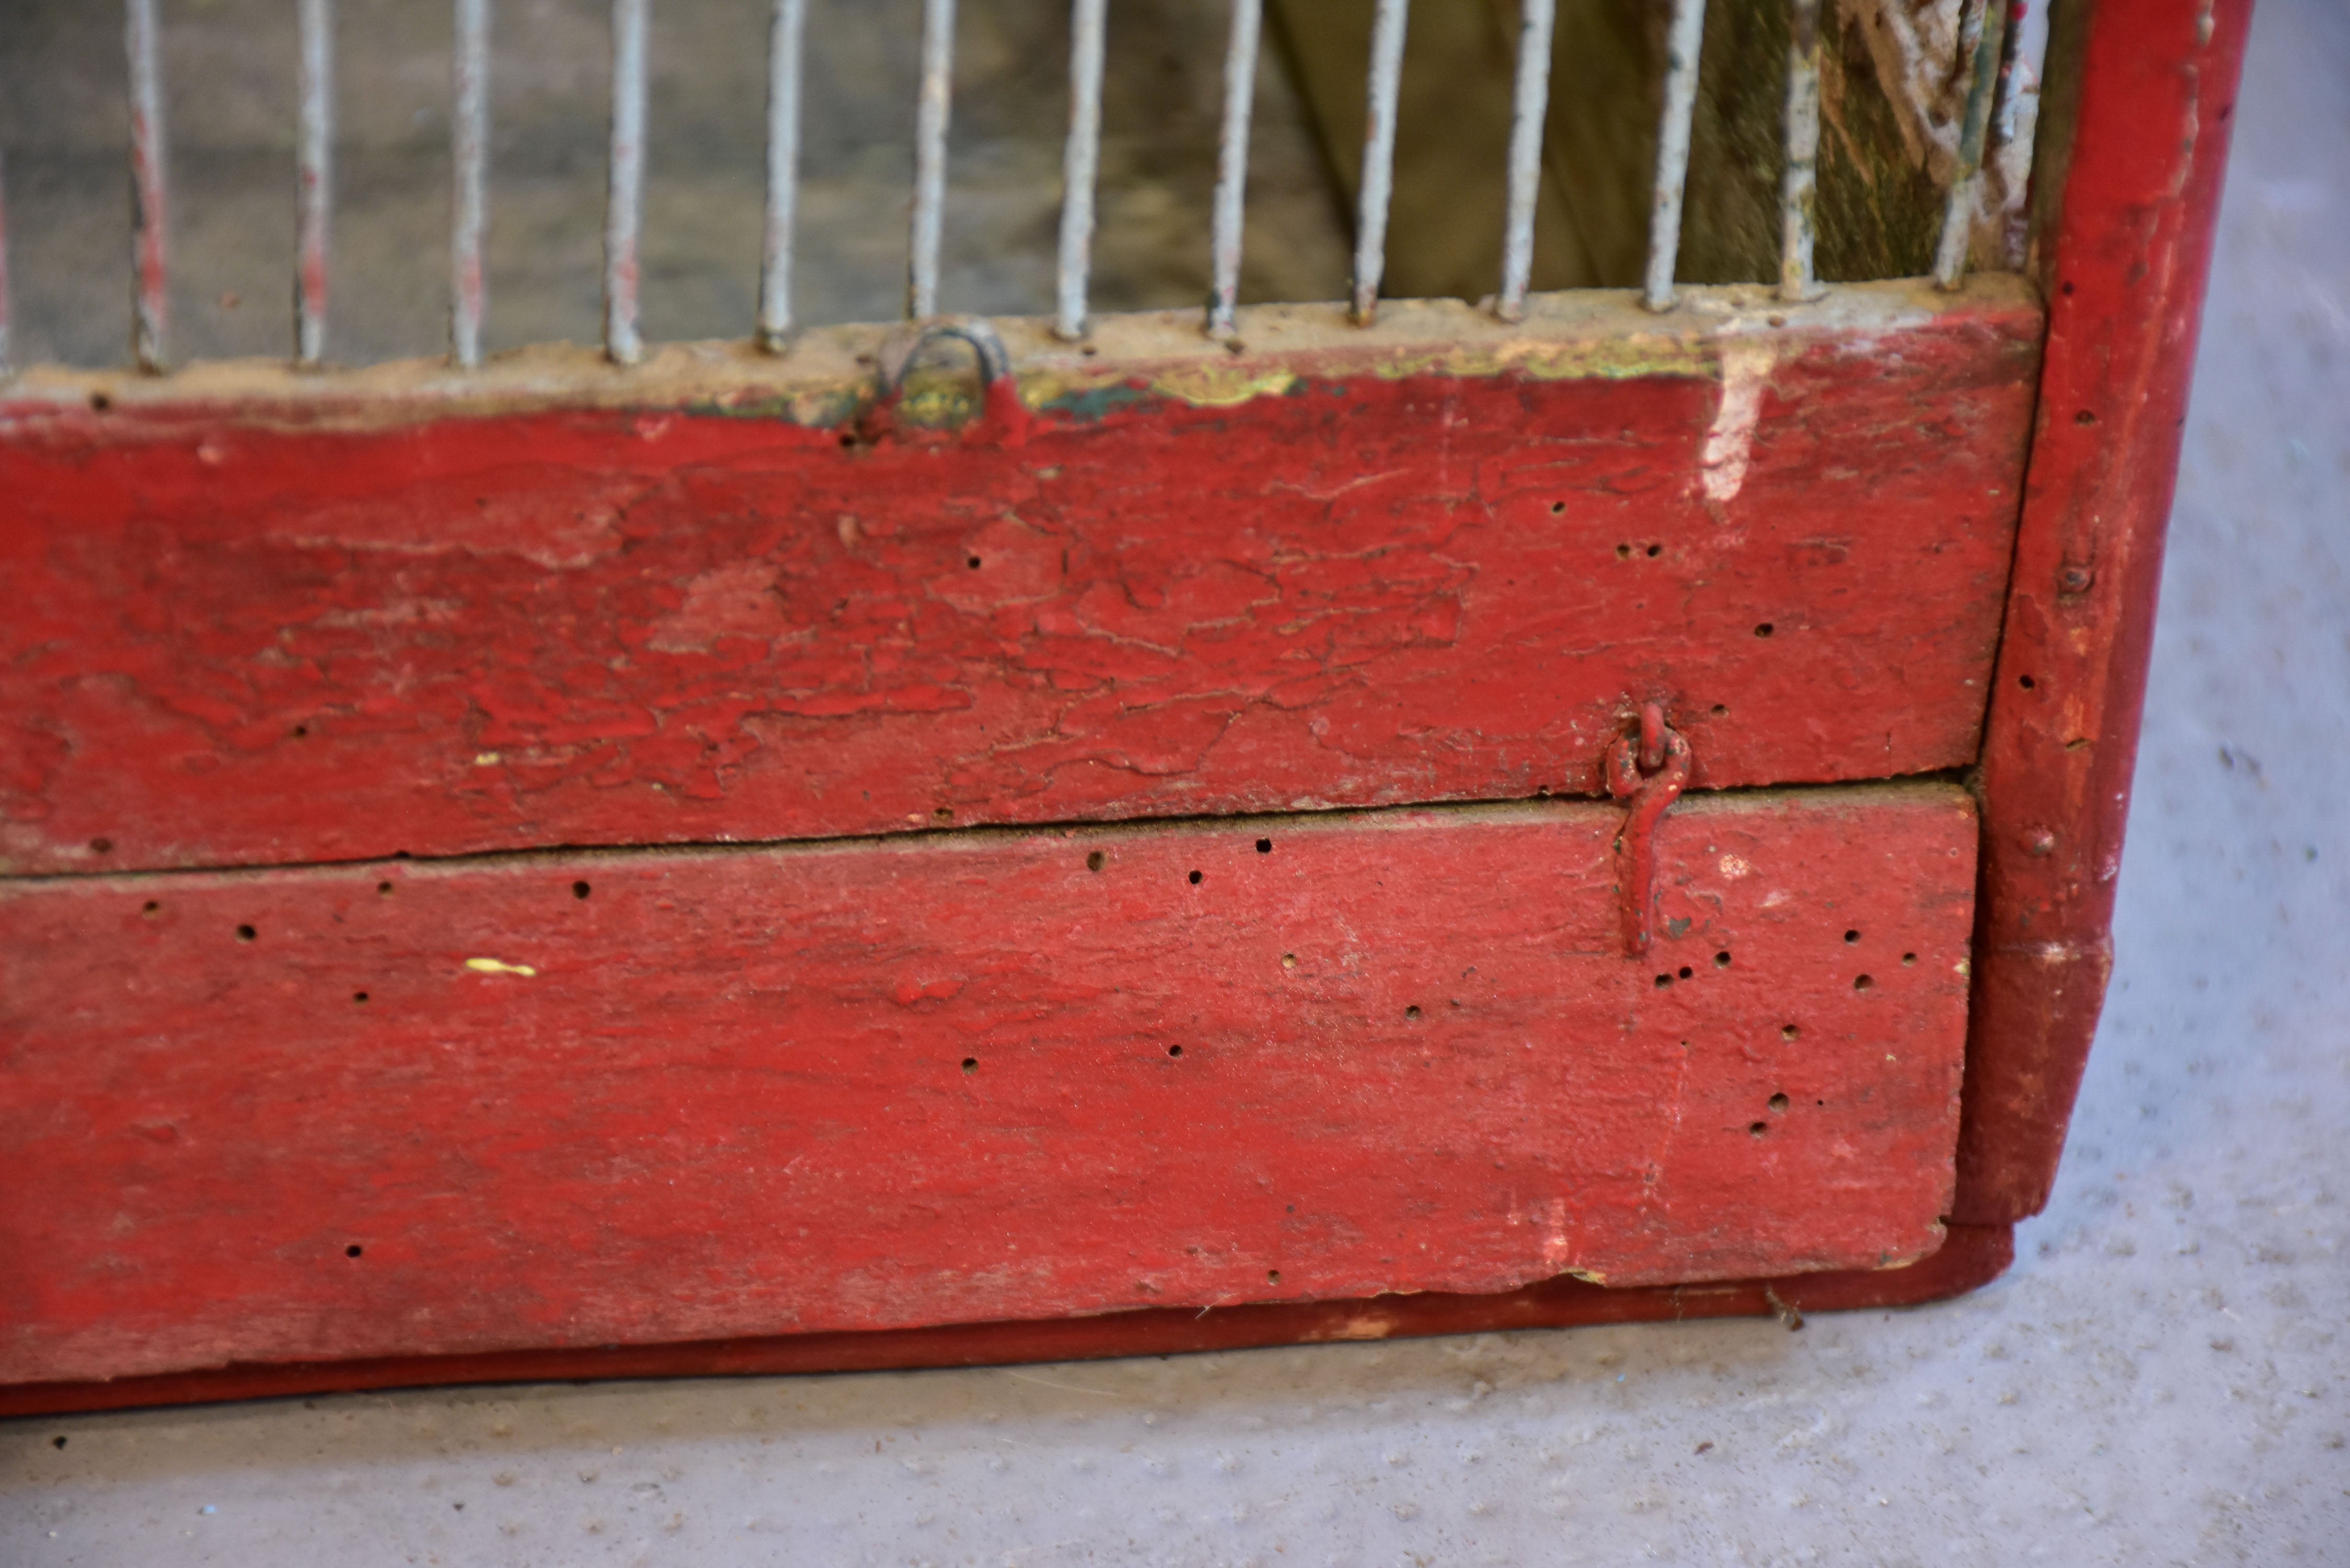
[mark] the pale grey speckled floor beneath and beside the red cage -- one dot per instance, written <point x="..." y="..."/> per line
<point x="2163" y="1376"/>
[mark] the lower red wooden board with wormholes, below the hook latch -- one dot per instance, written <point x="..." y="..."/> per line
<point x="657" y="1097"/>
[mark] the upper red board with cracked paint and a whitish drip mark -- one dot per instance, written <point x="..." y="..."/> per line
<point x="243" y="641"/>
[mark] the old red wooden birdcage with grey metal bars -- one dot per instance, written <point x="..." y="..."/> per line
<point x="1576" y="784"/>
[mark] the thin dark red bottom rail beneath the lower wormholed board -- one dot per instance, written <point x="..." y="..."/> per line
<point x="1970" y="1259"/>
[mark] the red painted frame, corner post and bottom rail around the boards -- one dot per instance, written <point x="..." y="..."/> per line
<point x="2123" y="269"/>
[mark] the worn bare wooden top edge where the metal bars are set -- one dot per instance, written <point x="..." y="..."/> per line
<point x="828" y="373"/>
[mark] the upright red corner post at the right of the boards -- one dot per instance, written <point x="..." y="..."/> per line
<point x="2128" y="276"/>
